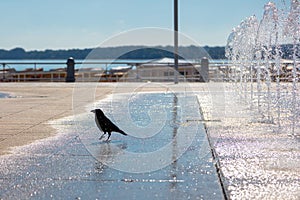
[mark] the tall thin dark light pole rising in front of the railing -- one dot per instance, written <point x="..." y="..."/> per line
<point x="176" y="41"/>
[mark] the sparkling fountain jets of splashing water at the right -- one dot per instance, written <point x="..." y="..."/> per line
<point x="266" y="54"/>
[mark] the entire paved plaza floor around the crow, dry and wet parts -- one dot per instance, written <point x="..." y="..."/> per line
<point x="166" y="154"/>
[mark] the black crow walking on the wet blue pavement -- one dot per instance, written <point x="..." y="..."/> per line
<point x="104" y="124"/>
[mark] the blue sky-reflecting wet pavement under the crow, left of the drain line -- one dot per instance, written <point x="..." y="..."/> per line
<point x="166" y="155"/>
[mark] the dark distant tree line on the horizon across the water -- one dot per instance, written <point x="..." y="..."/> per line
<point x="122" y="52"/>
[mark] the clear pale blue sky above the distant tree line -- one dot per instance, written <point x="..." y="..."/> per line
<point x="67" y="24"/>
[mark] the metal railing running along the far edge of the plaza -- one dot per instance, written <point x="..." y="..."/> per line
<point x="98" y="71"/>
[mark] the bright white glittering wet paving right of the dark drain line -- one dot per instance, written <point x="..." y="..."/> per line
<point x="256" y="160"/>
